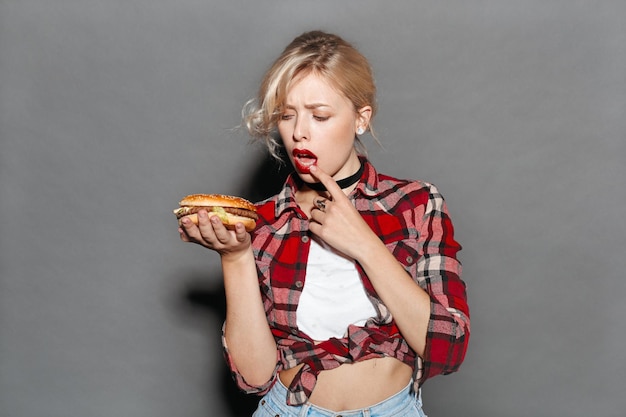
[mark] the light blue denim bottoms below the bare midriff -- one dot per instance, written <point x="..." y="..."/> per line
<point x="403" y="404"/>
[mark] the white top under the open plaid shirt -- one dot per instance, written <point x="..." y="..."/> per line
<point x="333" y="296"/>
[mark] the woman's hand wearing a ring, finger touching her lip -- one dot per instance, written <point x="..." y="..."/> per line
<point x="336" y="221"/>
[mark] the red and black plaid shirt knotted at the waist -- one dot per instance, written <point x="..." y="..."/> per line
<point x="411" y="218"/>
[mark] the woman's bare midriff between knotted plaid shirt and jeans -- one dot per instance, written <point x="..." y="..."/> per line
<point x="356" y="385"/>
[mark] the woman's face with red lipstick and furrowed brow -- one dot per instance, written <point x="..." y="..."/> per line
<point x="318" y="126"/>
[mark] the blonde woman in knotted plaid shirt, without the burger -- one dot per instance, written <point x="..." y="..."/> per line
<point x="348" y="295"/>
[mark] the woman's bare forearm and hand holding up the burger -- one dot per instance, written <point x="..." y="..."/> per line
<point x="246" y="324"/>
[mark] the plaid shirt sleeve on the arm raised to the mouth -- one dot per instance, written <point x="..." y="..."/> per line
<point x="439" y="273"/>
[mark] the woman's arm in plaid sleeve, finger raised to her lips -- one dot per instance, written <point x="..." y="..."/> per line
<point x="431" y="315"/>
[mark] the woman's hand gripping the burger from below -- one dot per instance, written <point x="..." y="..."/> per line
<point x="212" y="234"/>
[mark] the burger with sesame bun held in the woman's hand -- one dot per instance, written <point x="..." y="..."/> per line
<point x="230" y="209"/>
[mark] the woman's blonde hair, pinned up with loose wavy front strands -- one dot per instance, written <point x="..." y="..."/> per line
<point x="323" y="54"/>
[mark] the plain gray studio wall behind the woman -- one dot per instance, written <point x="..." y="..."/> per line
<point x="111" y="111"/>
